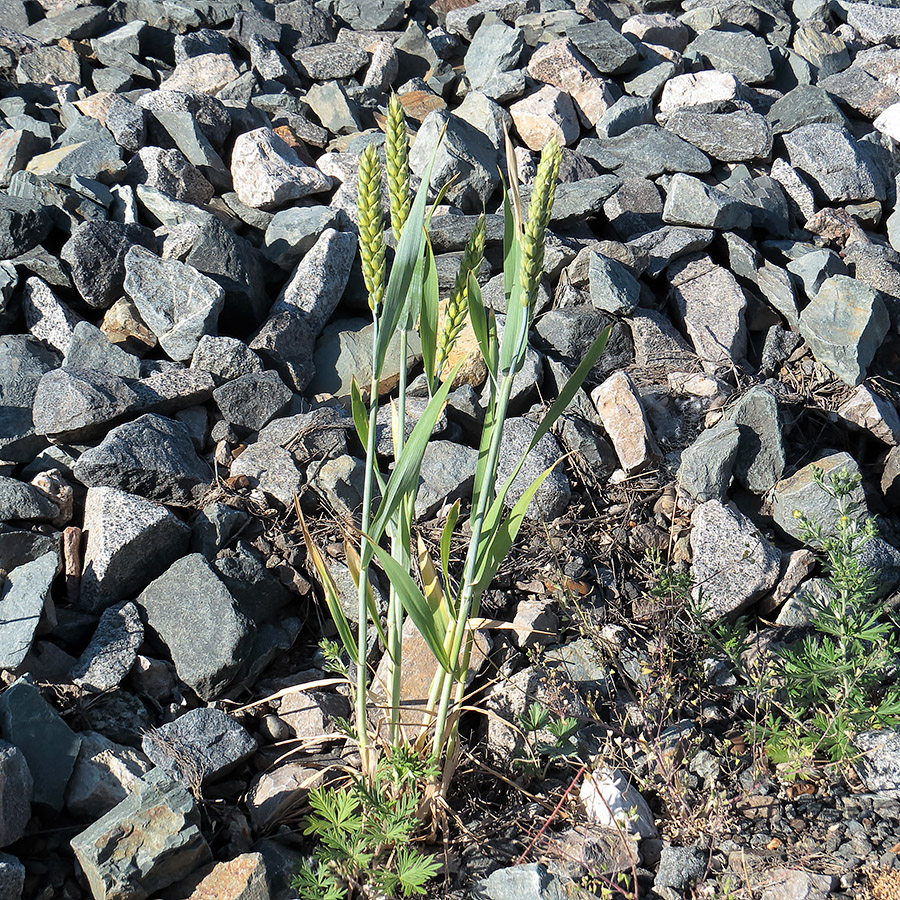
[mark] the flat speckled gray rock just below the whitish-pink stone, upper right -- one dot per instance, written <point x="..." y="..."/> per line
<point x="730" y="137"/>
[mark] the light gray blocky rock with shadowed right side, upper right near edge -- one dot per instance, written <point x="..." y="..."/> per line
<point x="834" y="160"/>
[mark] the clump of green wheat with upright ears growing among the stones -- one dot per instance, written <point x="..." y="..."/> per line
<point x="444" y="610"/>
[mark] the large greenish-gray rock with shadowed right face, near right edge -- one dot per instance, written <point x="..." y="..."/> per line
<point x="844" y="326"/>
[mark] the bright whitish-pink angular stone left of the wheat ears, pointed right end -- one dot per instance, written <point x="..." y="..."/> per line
<point x="268" y="173"/>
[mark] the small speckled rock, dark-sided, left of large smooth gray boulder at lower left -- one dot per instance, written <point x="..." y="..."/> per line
<point x="112" y="650"/>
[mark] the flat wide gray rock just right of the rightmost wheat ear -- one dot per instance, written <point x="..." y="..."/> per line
<point x="646" y="151"/>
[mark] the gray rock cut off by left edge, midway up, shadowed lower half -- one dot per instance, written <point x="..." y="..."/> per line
<point x="23" y="361"/>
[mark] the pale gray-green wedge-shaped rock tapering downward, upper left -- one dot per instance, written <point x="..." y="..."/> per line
<point x="178" y="303"/>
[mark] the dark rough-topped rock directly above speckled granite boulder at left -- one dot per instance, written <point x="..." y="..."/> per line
<point x="153" y="457"/>
